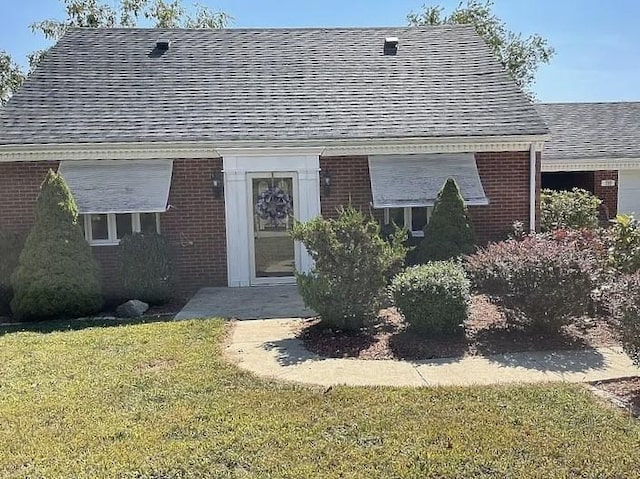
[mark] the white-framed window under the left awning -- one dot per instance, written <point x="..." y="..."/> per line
<point x="109" y="229"/>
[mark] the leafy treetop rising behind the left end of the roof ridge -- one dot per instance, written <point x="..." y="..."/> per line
<point x="127" y="14"/>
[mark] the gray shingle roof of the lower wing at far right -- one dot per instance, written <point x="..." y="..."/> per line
<point x="581" y="131"/>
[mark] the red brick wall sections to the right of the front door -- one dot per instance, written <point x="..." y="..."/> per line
<point x="504" y="175"/>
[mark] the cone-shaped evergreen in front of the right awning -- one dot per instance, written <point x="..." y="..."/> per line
<point x="449" y="232"/>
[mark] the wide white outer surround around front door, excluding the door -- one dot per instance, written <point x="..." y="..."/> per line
<point x="236" y="169"/>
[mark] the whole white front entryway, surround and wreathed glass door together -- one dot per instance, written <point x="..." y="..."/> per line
<point x="259" y="248"/>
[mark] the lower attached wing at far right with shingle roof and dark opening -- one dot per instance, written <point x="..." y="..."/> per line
<point x="595" y="146"/>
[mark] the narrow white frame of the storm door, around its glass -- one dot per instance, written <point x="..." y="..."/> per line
<point x="255" y="280"/>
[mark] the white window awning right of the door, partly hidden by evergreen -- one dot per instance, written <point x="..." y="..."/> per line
<point x="415" y="180"/>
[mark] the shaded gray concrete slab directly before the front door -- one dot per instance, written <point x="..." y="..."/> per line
<point x="262" y="302"/>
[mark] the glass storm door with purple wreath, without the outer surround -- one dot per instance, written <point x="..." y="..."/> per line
<point x="272" y="210"/>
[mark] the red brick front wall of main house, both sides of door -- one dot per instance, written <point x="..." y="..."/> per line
<point x="195" y="221"/>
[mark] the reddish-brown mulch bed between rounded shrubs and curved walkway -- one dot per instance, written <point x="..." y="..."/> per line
<point x="486" y="332"/>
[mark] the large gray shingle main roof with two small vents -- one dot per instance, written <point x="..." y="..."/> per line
<point x="107" y="85"/>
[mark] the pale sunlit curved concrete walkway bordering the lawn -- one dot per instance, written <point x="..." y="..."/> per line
<point x="269" y="349"/>
